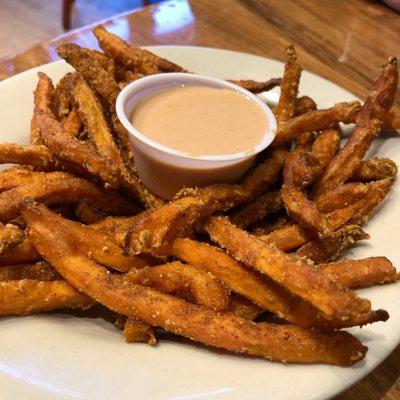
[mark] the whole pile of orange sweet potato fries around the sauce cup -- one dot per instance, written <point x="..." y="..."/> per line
<point x="78" y="227"/>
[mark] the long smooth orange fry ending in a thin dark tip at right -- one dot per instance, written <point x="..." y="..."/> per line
<point x="259" y="289"/>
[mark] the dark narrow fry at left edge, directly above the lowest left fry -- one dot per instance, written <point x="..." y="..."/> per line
<point x="40" y="271"/>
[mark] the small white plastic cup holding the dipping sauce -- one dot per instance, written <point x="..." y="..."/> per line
<point x="165" y="170"/>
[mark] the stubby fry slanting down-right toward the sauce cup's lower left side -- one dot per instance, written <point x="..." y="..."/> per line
<point x="71" y="149"/>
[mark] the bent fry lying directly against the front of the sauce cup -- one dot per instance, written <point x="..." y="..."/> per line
<point x="177" y="218"/>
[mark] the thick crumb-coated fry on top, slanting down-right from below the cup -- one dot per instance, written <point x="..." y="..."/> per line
<point x="297" y="276"/>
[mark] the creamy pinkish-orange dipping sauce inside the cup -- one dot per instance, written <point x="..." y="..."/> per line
<point x="201" y="120"/>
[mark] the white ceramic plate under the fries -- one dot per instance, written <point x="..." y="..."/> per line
<point x="63" y="357"/>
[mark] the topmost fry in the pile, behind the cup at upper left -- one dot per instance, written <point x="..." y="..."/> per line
<point x="130" y="57"/>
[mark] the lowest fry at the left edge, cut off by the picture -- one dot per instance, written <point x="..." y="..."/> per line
<point x="27" y="296"/>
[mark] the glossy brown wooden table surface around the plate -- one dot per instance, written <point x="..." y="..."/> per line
<point x="343" y="41"/>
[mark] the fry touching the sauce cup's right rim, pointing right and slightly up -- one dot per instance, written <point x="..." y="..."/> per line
<point x="316" y="120"/>
